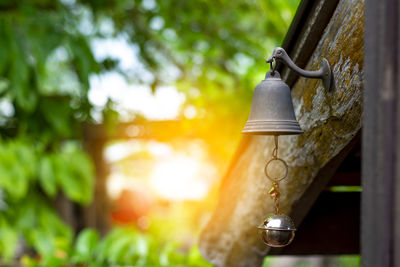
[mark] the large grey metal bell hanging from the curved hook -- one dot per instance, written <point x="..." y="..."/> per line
<point x="272" y="110"/>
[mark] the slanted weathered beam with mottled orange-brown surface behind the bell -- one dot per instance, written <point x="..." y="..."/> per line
<point x="329" y="119"/>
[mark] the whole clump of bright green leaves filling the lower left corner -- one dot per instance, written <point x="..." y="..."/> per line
<point x="25" y="172"/>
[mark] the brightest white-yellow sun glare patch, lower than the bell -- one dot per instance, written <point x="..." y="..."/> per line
<point x="166" y="173"/>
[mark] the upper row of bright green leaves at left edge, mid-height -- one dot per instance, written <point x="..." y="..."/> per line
<point x="68" y="169"/>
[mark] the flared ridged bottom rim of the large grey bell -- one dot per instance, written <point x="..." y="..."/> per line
<point x="268" y="127"/>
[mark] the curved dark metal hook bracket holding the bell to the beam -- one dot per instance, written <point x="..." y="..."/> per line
<point x="323" y="73"/>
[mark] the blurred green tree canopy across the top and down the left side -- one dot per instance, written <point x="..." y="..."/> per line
<point x="46" y="61"/>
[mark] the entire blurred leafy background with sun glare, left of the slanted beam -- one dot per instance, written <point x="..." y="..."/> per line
<point x="118" y="119"/>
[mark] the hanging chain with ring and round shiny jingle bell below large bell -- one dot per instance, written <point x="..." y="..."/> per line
<point x="277" y="230"/>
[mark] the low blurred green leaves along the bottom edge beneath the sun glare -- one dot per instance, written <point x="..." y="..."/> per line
<point x="121" y="247"/>
